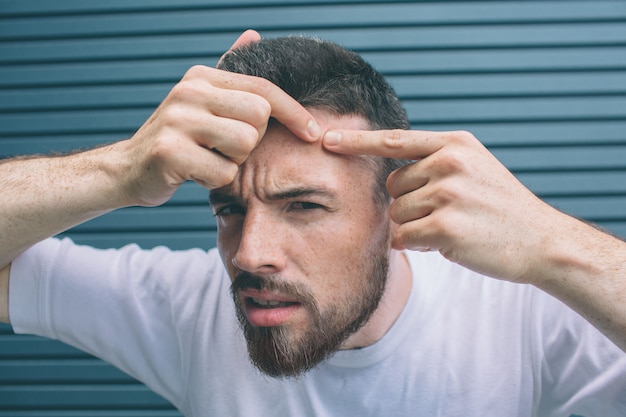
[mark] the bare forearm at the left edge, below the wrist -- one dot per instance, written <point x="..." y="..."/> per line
<point x="43" y="196"/>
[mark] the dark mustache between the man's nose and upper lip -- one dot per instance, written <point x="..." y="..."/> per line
<point x="272" y="283"/>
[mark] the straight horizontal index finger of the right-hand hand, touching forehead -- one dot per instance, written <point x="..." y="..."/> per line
<point x="400" y="144"/>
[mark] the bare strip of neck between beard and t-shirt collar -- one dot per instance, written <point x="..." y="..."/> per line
<point x="394" y="299"/>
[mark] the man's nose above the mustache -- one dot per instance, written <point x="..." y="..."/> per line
<point x="260" y="248"/>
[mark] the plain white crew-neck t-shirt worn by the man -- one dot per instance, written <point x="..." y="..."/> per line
<point x="464" y="345"/>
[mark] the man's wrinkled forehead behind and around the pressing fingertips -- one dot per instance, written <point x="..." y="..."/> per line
<point x="282" y="162"/>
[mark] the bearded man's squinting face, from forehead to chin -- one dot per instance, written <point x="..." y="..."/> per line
<point x="305" y="246"/>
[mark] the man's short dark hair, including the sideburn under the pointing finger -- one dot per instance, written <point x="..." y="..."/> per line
<point x="323" y="75"/>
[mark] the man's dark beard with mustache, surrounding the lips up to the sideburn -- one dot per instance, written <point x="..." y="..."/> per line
<point x="277" y="353"/>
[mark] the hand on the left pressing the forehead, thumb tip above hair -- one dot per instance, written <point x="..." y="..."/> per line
<point x="206" y="127"/>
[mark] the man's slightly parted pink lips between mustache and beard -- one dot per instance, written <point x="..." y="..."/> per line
<point x="264" y="316"/>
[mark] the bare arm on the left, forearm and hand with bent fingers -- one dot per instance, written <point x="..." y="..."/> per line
<point x="203" y="131"/>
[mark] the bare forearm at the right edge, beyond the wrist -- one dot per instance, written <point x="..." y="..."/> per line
<point x="586" y="269"/>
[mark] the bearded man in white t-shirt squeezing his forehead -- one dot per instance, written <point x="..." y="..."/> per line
<point x="338" y="319"/>
